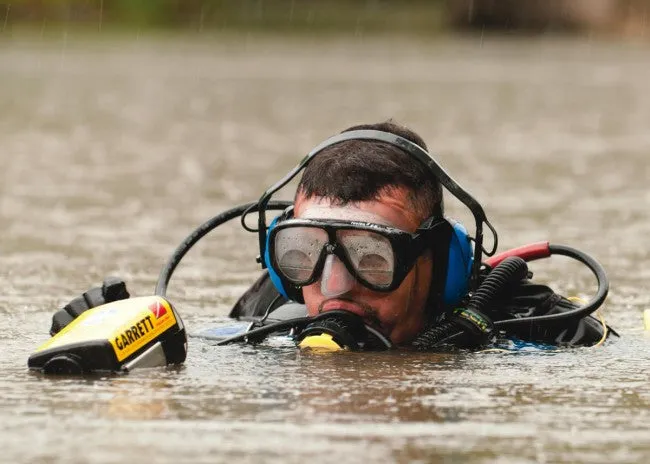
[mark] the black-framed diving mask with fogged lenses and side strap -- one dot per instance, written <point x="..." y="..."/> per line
<point x="377" y="256"/>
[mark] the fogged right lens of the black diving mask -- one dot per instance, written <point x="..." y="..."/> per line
<point x="370" y="254"/>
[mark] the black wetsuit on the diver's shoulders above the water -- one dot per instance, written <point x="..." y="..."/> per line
<point x="523" y="300"/>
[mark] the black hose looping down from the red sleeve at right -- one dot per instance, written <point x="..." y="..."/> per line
<point x="580" y="312"/>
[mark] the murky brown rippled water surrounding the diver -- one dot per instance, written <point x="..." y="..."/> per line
<point x="111" y="152"/>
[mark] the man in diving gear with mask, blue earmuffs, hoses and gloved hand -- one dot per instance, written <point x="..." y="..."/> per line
<point x="364" y="258"/>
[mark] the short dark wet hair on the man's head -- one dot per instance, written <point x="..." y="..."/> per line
<point x="362" y="170"/>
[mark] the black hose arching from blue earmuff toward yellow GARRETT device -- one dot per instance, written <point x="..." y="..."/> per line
<point x="202" y="231"/>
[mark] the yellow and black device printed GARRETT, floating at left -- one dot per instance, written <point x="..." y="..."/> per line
<point x="117" y="336"/>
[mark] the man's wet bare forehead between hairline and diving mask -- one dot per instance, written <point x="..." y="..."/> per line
<point x="390" y="209"/>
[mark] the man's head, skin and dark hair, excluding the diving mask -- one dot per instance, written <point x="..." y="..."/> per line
<point x="378" y="183"/>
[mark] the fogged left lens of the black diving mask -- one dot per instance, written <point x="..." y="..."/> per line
<point x="297" y="250"/>
